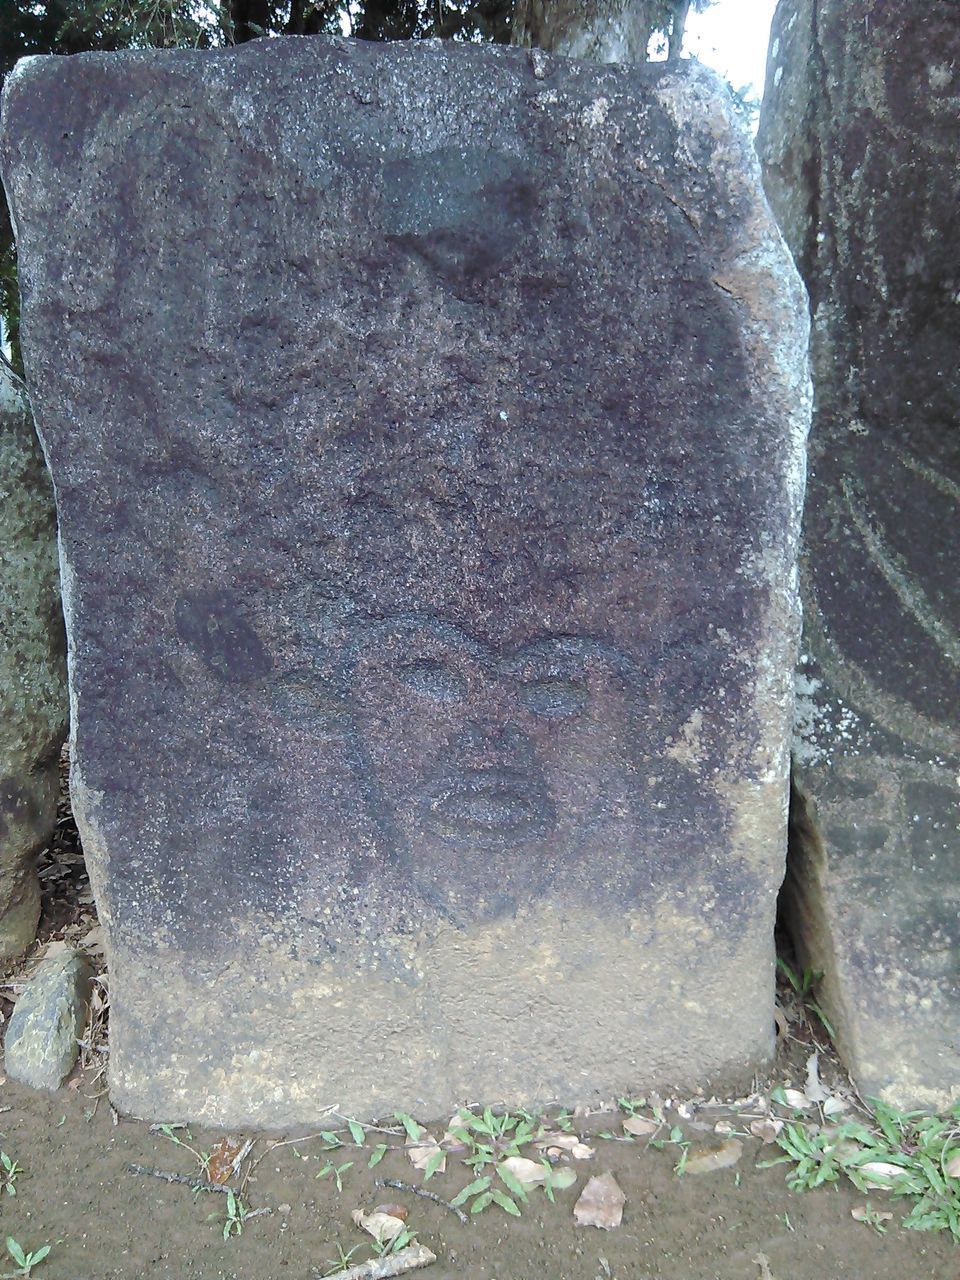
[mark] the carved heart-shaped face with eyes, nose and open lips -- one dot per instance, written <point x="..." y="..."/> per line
<point x="490" y="770"/>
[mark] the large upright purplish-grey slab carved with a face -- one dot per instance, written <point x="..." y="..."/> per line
<point x="429" y="479"/>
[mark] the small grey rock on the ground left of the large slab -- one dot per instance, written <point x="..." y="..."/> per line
<point x="40" y="1048"/>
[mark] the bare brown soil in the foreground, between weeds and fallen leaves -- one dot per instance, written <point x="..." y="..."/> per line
<point x="104" y="1222"/>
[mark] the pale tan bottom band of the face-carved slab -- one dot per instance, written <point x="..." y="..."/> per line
<point x="546" y="1008"/>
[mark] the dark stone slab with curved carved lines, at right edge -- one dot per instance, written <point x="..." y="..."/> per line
<point x="860" y="145"/>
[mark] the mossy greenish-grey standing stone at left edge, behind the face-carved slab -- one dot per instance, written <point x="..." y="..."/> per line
<point x="33" y="670"/>
